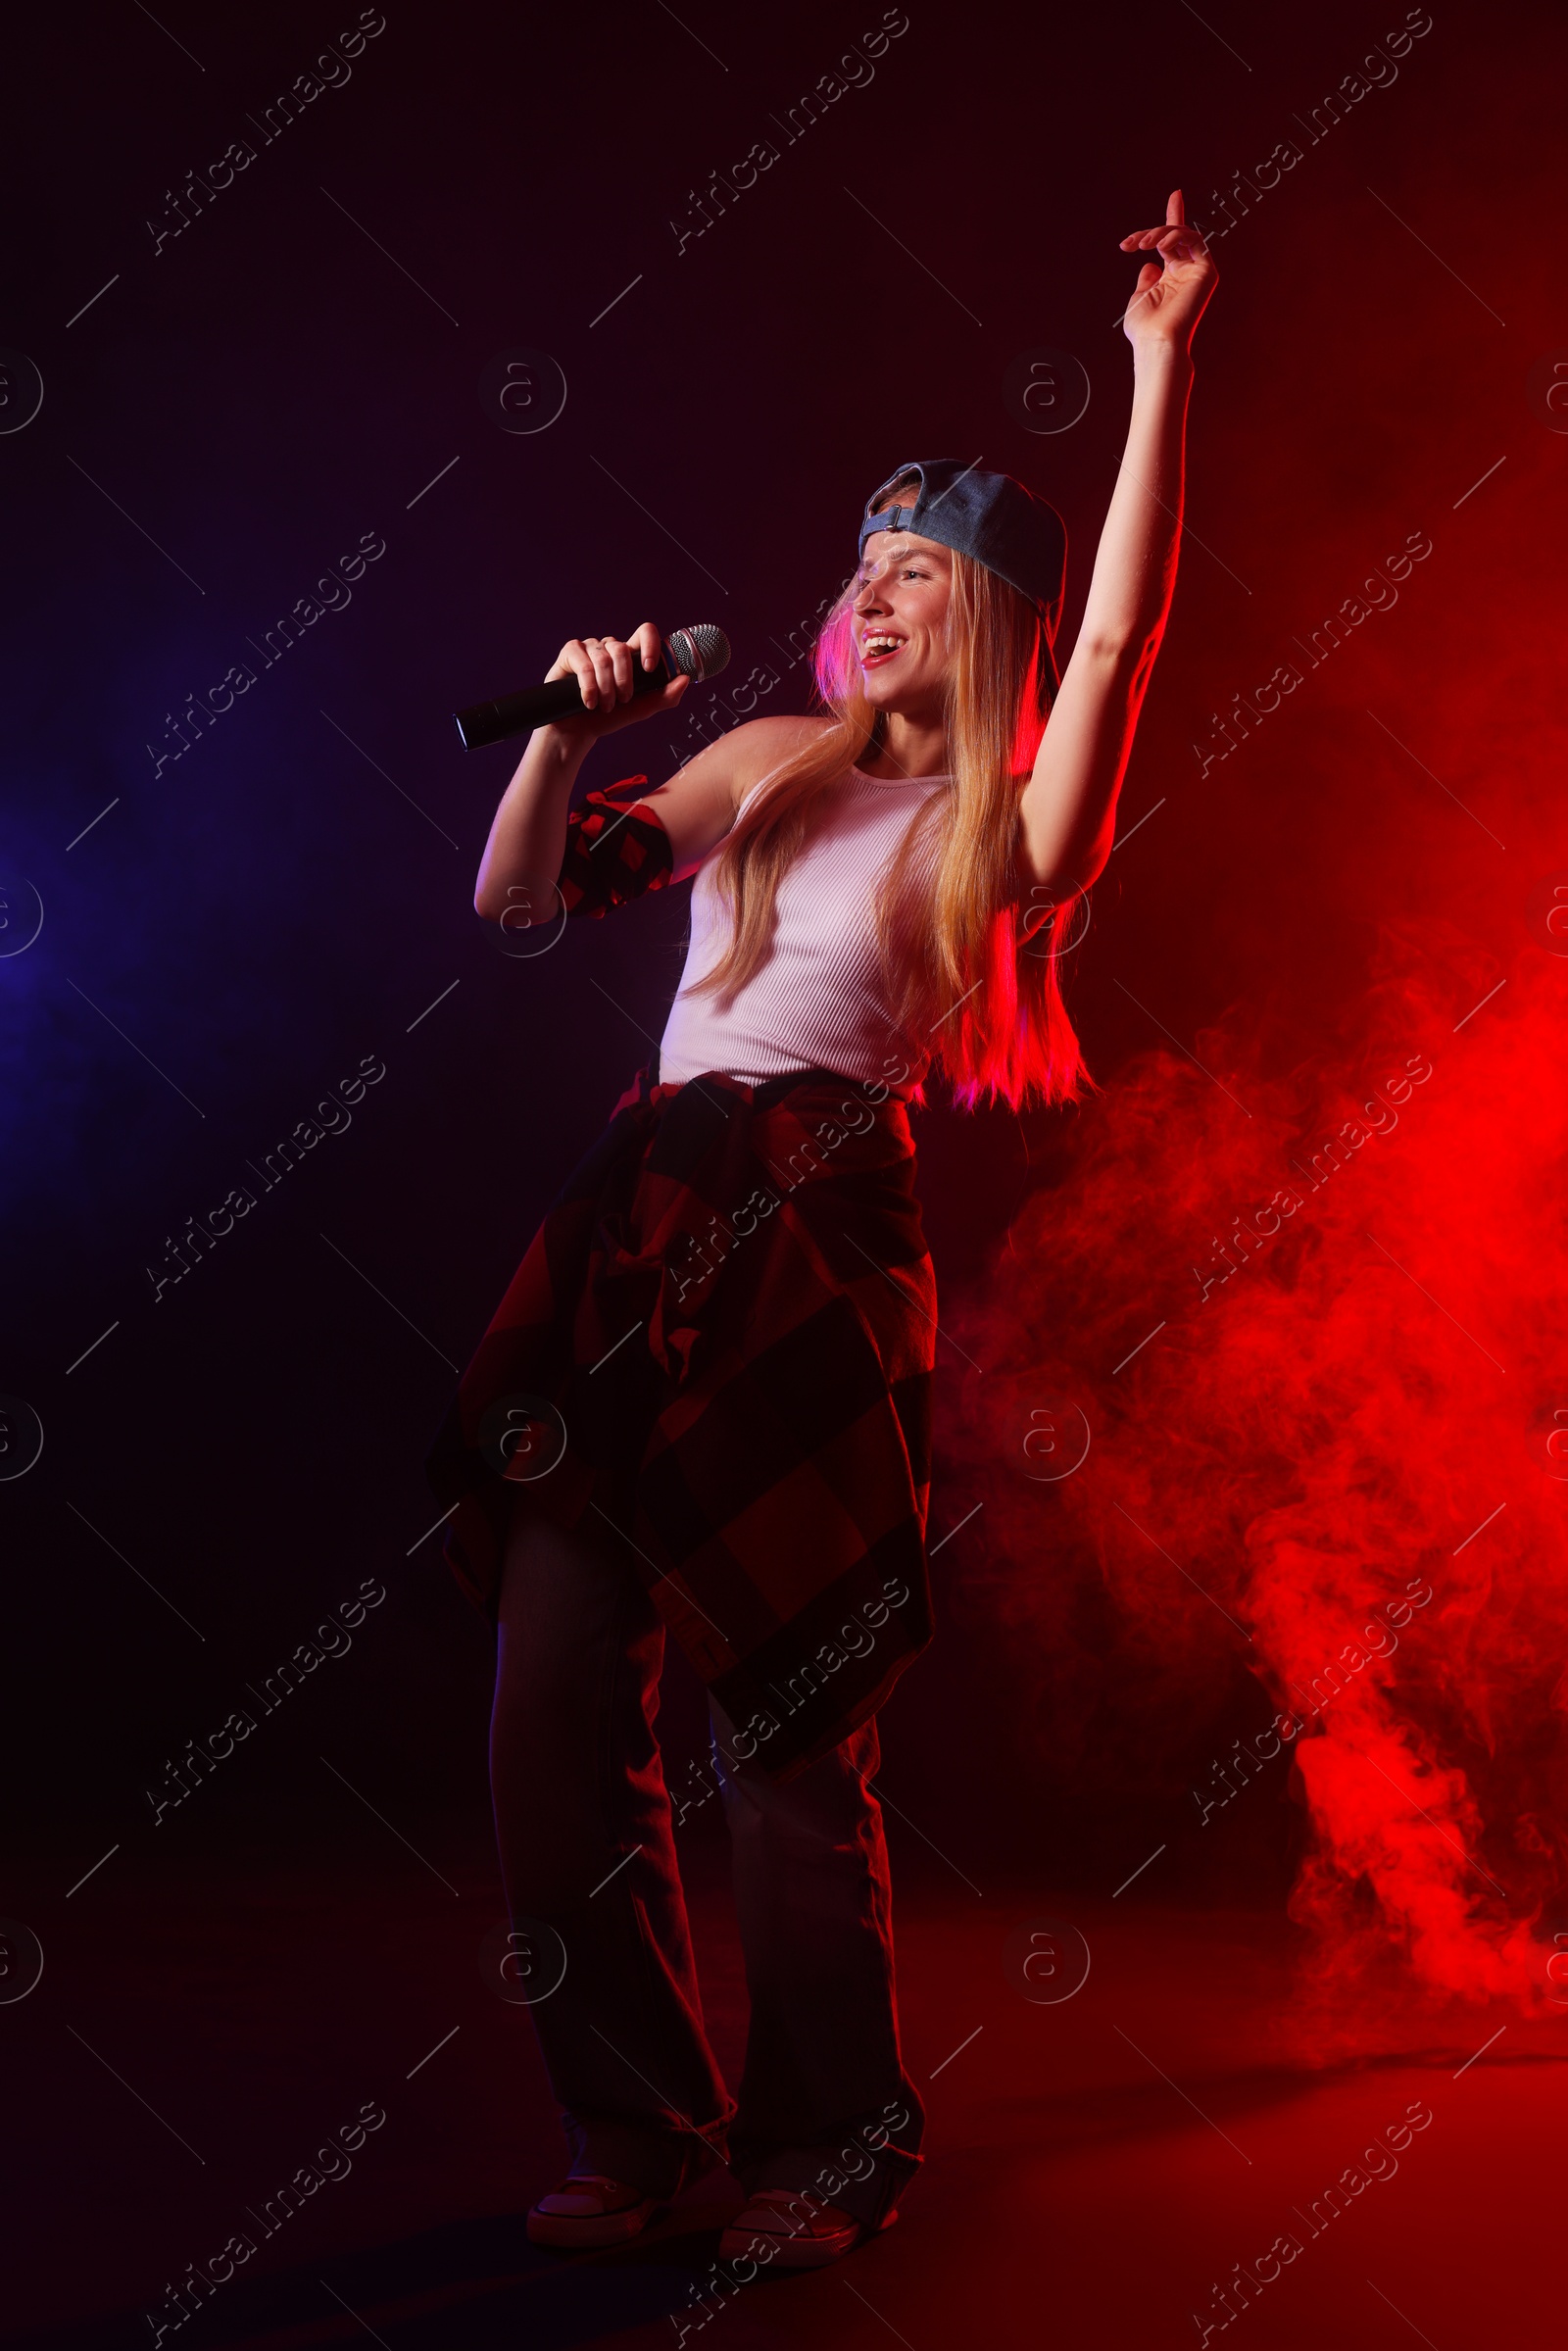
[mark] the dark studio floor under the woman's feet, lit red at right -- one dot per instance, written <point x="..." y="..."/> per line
<point x="1094" y="2166"/>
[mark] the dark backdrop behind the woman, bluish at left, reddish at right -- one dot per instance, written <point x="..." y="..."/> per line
<point x="295" y="892"/>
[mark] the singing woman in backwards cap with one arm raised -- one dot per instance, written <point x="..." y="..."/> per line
<point x="704" y="1400"/>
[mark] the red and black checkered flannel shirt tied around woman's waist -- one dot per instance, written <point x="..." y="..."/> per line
<point x="732" y="1313"/>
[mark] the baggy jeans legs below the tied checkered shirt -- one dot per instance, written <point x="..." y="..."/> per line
<point x="587" y="1840"/>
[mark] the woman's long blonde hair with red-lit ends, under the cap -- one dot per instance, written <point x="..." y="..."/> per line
<point x="970" y="972"/>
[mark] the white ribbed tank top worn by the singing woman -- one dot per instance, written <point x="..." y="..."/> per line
<point x="819" y="1000"/>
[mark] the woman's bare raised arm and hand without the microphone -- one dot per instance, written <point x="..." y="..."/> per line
<point x="1068" y="805"/>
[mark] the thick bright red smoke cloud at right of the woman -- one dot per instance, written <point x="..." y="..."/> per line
<point x="1355" y="1414"/>
